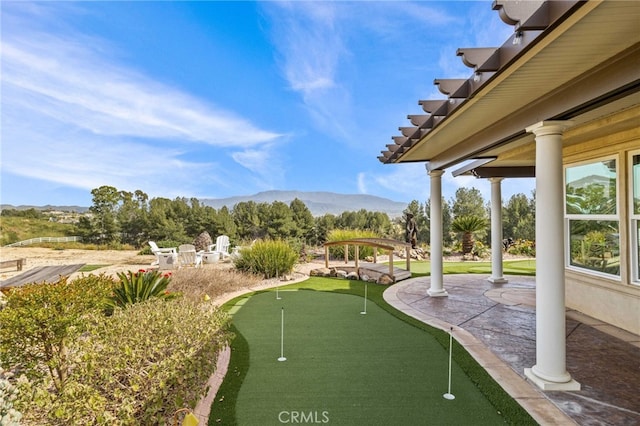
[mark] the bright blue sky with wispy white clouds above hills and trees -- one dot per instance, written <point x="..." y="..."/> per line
<point x="214" y="99"/>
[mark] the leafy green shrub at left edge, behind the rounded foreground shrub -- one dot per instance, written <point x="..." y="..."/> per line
<point x="39" y="322"/>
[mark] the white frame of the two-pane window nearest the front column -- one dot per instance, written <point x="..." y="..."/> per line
<point x="591" y="217"/>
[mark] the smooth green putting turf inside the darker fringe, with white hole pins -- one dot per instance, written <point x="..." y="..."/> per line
<point x="346" y="368"/>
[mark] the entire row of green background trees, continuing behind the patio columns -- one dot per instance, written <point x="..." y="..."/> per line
<point x="133" y="218"/>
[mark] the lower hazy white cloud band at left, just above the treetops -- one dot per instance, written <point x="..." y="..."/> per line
<point x="84" y="160"/>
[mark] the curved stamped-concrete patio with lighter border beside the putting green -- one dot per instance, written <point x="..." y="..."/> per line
<point x="496" y="324"/>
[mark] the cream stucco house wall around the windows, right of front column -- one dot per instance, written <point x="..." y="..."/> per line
<point x="611" y="298"/>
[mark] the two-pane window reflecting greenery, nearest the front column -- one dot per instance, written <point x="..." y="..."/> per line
<point x="592" y="214"/>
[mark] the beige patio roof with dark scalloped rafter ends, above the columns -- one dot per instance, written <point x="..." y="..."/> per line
<point x="574" y="60"/>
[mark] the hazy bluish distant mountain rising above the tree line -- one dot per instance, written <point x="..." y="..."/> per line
<point x="319" y="203"/>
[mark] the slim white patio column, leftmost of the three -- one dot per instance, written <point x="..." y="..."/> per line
<point x="437" y="289"/>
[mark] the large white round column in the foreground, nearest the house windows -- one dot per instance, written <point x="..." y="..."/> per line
<point x="550" y="372"/>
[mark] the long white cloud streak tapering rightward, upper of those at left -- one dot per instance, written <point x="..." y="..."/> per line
<point x="72" y="84"/>
